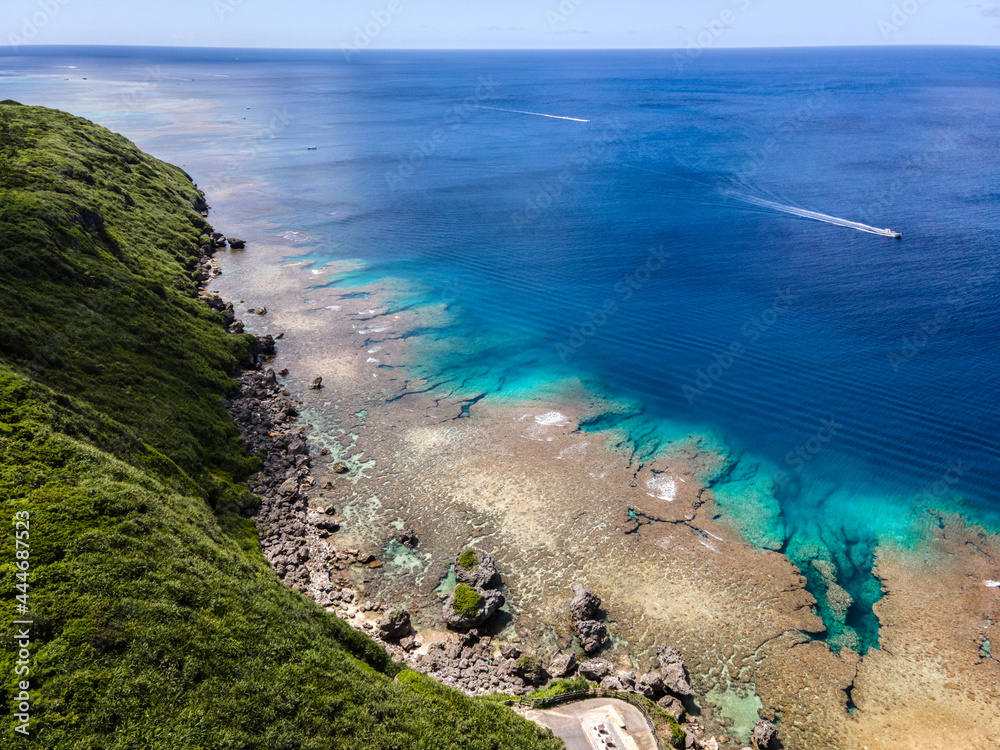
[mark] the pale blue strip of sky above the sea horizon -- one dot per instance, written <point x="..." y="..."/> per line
<point x="462" y="24"/>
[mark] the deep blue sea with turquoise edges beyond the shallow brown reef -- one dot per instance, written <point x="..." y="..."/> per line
<point x="851" y="377"/>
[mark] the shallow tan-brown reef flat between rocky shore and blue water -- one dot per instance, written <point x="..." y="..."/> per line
<point x="556" y="505"/>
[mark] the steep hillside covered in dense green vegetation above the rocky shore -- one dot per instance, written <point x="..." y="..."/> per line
<point x="157" y="622"/>
